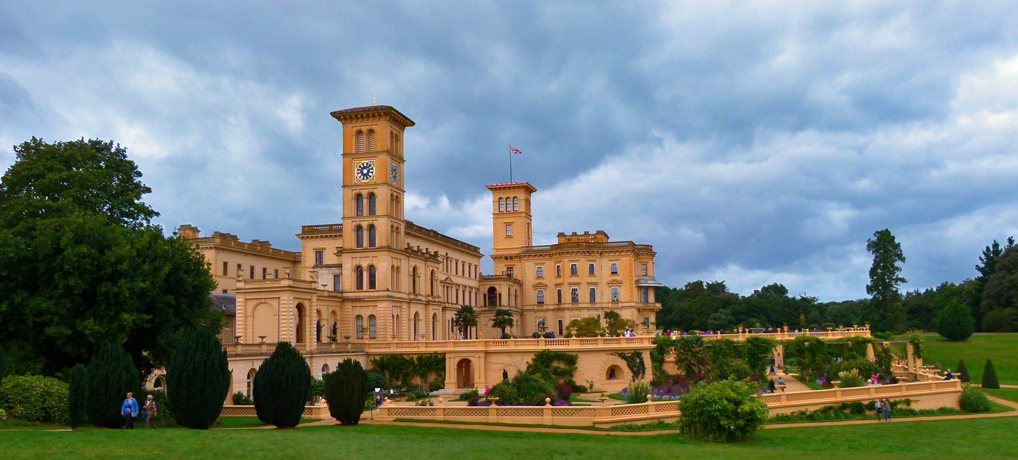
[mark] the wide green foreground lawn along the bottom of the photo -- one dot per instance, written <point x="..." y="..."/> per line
<point x="933" y="440"/>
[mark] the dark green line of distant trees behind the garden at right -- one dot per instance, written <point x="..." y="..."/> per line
<point x="992" y="298"/>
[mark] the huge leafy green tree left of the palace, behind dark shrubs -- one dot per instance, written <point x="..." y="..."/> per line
<point x="82" y="265"/>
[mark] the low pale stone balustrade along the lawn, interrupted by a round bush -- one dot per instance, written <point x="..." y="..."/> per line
<point x="605" y="416"/>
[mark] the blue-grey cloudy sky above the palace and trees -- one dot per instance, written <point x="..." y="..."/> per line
<point x="749" y="142"/>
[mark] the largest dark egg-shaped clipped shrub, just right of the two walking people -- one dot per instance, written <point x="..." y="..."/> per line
<point x="198" y="380"/>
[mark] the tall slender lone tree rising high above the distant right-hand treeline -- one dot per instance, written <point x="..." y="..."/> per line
<point x="885" y="279"/>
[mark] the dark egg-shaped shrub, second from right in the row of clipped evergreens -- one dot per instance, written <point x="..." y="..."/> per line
<point x="282" y="385"/>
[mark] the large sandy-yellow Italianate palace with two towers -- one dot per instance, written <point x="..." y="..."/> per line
<point x="375" y="283"/>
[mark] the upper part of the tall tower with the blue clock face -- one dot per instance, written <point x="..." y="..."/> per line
<point x="373" y="178"/>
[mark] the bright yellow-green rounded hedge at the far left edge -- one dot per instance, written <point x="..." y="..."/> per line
<point x="35" y="398"/>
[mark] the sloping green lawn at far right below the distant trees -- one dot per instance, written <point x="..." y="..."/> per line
<point x="1001" y="349"/>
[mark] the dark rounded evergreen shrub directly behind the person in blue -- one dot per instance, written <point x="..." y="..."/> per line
<point x="110" y="376"/>
